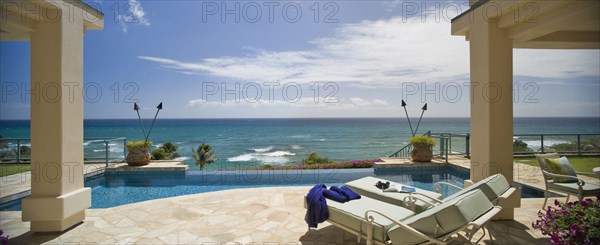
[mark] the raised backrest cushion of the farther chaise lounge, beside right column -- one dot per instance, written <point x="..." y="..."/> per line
<point x="493" y="187"/>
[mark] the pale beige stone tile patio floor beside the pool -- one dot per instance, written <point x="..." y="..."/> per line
<point x="272" y="215"/>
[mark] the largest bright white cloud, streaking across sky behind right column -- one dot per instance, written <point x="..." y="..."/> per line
<point x="383" y="52"/>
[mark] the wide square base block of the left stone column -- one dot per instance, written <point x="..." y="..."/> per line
<point x="57" y="213"/>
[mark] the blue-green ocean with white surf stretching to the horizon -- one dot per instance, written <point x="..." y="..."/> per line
<point x="242" y="142"/>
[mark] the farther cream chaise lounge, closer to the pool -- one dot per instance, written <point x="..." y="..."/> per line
<point x="496" y="188"/>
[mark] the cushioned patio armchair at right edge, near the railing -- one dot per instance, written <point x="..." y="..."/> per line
<point x="564" y="183"/>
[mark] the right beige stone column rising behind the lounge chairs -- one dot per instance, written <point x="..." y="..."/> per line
<point x="491" y="104"/>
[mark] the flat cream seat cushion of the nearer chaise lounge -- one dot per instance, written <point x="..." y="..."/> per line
<point x="352" y="215"/>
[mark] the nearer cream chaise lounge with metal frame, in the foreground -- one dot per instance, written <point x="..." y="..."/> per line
<point x="384" y="223"/>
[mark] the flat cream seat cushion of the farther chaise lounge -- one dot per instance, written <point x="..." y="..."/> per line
<point x="366" y="187"/>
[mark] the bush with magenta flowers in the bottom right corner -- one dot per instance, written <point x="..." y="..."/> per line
<point x="571" y="223"/>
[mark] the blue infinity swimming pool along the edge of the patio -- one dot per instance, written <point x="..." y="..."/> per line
<point x="115" y="189"/>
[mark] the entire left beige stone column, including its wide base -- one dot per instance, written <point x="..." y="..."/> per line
<point x="58" y="199"/>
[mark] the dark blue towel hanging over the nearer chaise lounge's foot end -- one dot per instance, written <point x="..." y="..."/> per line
<point x="316" y="211"/>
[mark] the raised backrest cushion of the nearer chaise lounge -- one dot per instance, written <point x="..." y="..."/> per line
<point x="442" y="219"/>
